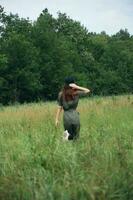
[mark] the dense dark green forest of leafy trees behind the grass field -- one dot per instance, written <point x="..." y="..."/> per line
<point x="36" y="56"/>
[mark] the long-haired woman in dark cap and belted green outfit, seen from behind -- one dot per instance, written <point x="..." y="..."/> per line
<point x="68" y="101"/>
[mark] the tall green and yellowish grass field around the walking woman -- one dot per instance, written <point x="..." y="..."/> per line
<point x="36" y="164"/>
